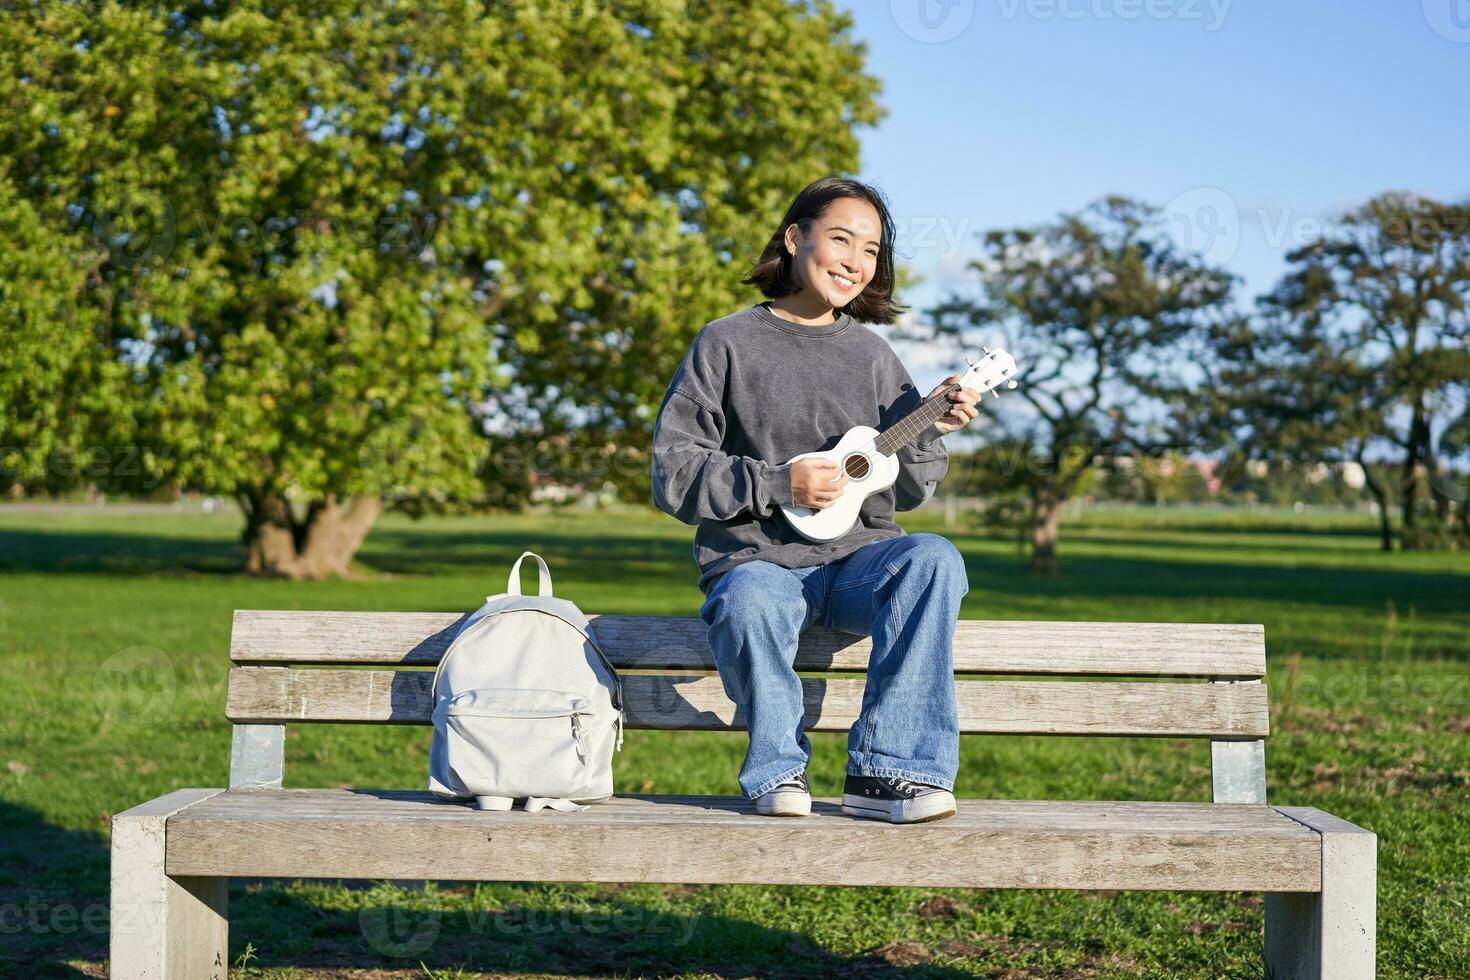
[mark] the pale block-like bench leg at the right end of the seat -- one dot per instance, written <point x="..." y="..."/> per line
<point x="1331" y="935"/>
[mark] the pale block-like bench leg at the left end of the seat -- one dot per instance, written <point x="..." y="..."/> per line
<point x="162" y="928"/>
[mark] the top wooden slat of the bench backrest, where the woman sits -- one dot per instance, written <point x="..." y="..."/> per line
<point x="1009" y="647"/>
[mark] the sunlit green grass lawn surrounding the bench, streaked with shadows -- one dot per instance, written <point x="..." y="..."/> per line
<point x="1369" y="663"/>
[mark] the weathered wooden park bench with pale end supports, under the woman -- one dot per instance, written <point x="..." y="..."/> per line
<point x="174" y="857"/>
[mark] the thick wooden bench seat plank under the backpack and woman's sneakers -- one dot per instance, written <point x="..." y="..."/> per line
<point x="987" y="844"/>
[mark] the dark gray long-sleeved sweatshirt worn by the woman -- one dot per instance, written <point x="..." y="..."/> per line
<point x="752" y="393"/>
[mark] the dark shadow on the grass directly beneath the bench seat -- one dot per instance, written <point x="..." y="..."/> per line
<point x="599" y="935"/>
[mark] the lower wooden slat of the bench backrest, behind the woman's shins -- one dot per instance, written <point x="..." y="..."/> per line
<point x="670" y="702"/>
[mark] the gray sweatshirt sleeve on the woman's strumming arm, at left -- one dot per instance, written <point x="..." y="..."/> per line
<point x="693" y="478"/>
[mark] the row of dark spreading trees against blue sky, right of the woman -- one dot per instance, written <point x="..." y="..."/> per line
<point x="1134" y="347"/>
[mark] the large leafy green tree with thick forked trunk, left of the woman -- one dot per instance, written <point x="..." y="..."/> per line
<point x="317" y="248"/>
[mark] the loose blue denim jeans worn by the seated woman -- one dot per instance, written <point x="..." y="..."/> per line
<point x="905" y="593"/>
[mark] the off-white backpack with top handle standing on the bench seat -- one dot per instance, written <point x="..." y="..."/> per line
<point x="526" y="706"/>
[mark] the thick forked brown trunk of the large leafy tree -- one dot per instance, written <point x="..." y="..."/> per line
<point x="318" y="547"/>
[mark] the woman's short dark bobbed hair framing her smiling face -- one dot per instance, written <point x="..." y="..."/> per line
<point x="775" y="275"/>
